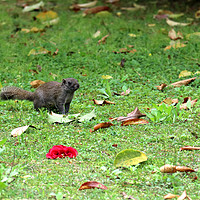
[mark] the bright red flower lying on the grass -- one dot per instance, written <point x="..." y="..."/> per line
<point x="60" y="151"/>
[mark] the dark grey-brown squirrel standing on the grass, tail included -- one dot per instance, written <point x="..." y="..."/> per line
<point x="49" y="95"/>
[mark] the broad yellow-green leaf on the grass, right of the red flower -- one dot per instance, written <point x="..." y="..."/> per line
<point x="129" y="157"/>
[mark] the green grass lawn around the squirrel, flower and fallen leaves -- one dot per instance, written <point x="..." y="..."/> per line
<point x="82" y="58"/>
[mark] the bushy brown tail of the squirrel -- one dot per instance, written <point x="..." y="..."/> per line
<point x="11" y="92"/>
